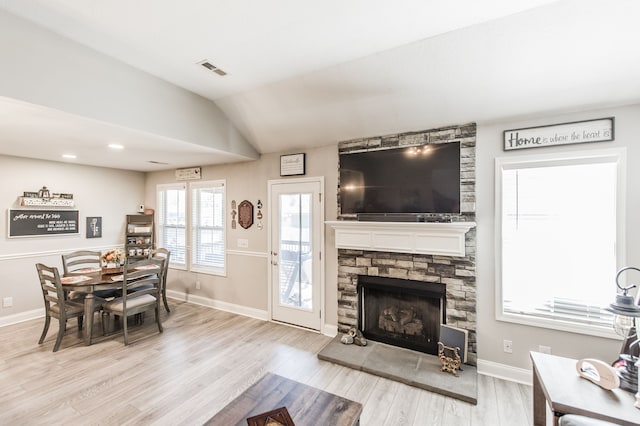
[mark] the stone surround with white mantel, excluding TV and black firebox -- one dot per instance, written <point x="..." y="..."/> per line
<point x="396" y="251"/>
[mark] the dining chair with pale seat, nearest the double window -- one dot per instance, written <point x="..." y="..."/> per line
<point x="140" y="293"/>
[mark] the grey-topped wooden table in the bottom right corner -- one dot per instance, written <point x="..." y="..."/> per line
<point x="556" y="383"/>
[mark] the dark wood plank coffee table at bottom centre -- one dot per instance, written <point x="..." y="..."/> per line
<point x="306" y="405"/>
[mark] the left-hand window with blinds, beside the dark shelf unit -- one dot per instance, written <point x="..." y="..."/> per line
<point x="171" y="222"/>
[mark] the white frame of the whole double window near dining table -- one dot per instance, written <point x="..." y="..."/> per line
<point x="189" y="264"/>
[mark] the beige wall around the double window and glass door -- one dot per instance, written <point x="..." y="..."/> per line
<point x="246" y="283"/>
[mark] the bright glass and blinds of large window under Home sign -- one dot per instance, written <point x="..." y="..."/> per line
<point x="560" y="239"/>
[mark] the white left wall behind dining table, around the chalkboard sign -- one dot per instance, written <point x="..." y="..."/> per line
<point x="108" y="193"/>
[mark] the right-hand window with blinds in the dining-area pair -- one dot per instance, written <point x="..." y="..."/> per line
<point x="207" y="227"/>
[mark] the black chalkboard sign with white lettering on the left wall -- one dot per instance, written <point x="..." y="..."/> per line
<point x="31" y="223"/>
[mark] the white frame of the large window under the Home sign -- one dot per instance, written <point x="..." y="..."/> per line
<point x="617" y="156"/>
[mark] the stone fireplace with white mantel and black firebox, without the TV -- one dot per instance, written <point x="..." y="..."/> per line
<point x="436" y="258"/>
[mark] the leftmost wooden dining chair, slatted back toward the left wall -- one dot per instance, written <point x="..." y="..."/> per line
<point x="55" y="304"/>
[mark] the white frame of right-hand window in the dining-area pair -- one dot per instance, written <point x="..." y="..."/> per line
<point x="195" y="227"/>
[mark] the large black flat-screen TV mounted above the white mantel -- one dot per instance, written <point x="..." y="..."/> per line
<point x="424" y="179"/>
